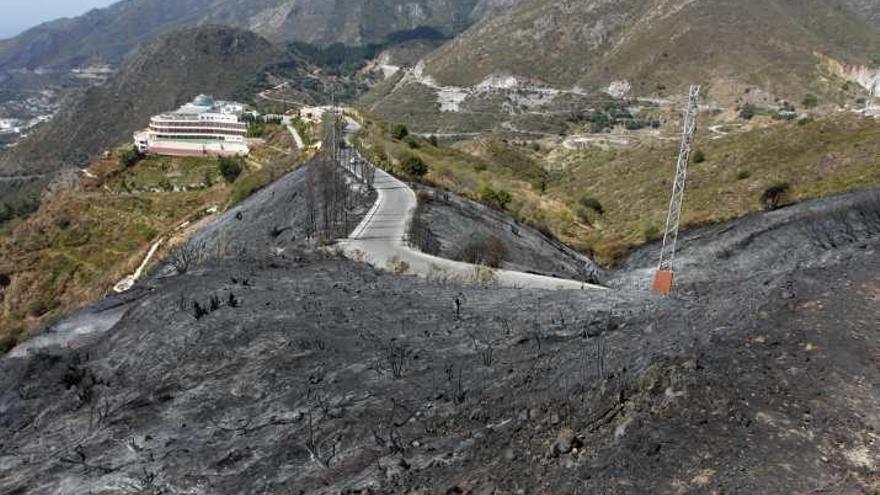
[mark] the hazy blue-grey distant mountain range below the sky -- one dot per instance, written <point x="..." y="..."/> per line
<point x="109" y="34"/>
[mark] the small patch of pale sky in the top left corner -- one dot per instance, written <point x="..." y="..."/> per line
<point x="19" y="15"/>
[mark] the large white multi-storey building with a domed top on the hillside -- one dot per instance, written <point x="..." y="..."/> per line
<point x="202" y="128"/>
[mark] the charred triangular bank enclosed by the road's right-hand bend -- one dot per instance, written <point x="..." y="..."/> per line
<point x="453" y="227"/>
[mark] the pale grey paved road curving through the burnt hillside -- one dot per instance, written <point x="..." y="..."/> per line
<point x="380" y="240"/>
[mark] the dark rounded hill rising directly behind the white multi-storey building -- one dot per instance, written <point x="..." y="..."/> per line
<point x="216" y="60"/>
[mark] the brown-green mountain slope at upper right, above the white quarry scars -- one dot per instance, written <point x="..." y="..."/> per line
<point x="659" y="43"/>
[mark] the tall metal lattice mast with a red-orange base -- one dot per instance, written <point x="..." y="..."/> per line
<point x="665" y="277"/>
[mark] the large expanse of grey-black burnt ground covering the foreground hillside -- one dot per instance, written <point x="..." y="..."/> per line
<point x="283" y="369"/>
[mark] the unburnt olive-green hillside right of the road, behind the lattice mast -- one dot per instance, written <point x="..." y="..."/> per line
<point x="555" y="189"/>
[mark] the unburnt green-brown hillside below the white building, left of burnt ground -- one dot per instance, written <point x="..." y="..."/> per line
<point x="83" y="240"/>
